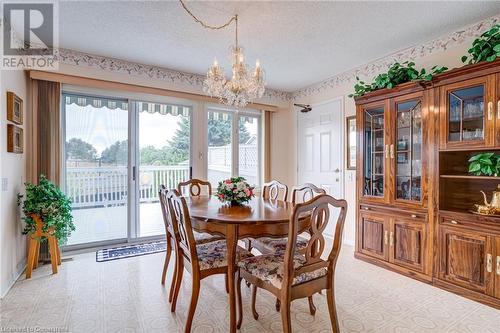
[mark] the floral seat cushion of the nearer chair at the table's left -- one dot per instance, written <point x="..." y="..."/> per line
<point x="214" y="254"/>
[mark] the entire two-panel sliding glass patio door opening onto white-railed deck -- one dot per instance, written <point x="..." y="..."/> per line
<point x="118" y="152"/>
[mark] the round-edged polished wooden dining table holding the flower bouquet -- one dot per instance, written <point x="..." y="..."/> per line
<point x="259" y="217"/>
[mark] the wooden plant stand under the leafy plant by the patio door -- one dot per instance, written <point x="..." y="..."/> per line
<point x="34" y="248"/>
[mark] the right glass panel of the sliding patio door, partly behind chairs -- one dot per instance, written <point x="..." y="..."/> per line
<point x="163" y="158"/>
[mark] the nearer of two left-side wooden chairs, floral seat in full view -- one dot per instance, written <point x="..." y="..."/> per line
<point x="201" y="260"/>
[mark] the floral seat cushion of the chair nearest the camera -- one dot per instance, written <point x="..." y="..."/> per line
<point x="269" y="268"/>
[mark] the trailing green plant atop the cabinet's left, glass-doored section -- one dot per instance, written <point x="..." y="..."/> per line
<point x="398" y="73"/>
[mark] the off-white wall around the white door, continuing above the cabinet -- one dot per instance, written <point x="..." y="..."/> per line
<point x="449" y="58"/>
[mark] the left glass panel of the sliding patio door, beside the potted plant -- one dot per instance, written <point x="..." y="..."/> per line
<point x="96" y="164"/>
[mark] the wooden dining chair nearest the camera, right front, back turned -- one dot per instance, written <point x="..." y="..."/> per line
<point x="291" y="275"/>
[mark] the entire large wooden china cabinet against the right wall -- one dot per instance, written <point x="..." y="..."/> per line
<point x="415" y="197"/>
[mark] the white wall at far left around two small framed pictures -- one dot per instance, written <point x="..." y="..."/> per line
<point x="12" y="168"/>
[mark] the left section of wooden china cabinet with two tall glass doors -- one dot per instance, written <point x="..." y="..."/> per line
<point x="393" y="217"/>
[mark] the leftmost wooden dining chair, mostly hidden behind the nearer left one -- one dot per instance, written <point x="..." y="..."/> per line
<point x="200" y="238"/>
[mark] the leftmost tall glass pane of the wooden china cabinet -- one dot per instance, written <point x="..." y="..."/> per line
<point x="373" y="168"/>
